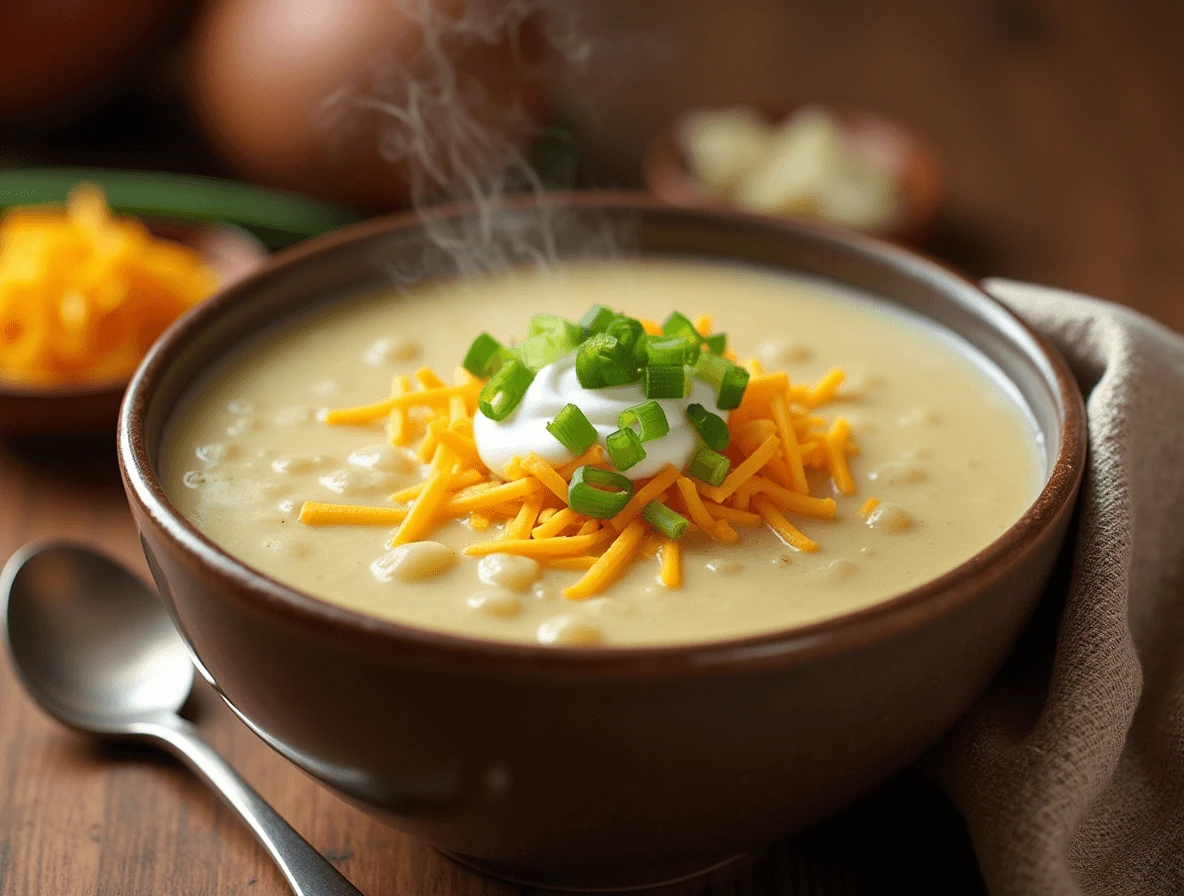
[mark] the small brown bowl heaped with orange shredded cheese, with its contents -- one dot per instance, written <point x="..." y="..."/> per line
<point x="85" y="294"/>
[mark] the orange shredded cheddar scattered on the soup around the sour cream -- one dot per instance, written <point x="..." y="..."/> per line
<point x="778" y="441"/>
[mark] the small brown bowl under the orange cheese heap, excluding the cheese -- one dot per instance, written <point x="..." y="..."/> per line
<point x="94" y="408"/>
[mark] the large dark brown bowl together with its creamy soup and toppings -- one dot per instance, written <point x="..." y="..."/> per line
<point x="809" y="494"/>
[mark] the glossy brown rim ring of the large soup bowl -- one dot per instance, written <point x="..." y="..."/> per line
<point x="828" y="637"/>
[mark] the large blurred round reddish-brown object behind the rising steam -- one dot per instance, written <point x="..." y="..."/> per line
<point x="262" y="72"/>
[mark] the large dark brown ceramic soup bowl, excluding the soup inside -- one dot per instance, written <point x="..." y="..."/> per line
<point x="609" y="766"/>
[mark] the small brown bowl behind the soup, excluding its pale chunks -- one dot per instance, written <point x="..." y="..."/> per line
<point x="904" y="154"/>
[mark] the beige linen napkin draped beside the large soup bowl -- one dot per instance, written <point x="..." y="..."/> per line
<point x="1071" y="771"/>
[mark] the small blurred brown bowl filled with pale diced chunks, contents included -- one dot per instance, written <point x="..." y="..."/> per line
<point x="848" y="169"/>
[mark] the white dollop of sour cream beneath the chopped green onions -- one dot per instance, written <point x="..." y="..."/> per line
<point x="557" y="385"/>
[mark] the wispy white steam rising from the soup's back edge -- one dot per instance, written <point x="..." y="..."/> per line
<point x="443" y="128"/>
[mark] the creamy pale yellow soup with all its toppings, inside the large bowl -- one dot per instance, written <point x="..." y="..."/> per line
<point x="911" y="455"/>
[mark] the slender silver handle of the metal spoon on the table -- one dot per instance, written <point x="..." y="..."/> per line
<point x="307" y="872"/>
